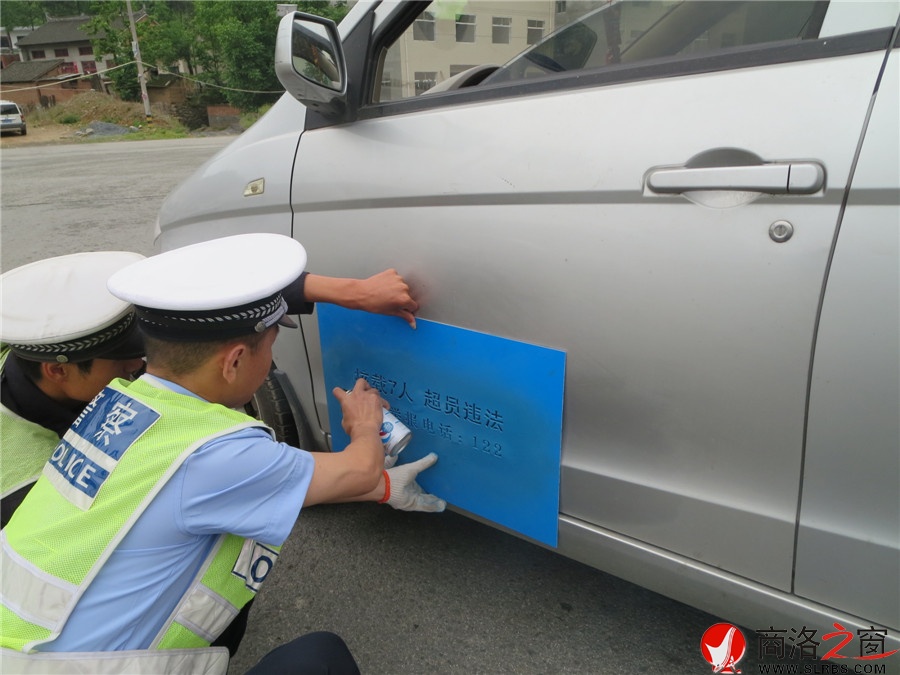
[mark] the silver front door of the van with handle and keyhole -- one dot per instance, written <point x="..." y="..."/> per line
<point x="623" y="192"/>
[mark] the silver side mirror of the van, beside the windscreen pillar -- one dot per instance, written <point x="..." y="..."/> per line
<point x="309" y="63"/>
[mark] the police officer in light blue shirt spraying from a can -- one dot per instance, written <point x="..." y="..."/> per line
<point x="163" y="508"/>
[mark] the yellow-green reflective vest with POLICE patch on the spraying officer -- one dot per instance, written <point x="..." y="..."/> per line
<point x="101" y="476"/>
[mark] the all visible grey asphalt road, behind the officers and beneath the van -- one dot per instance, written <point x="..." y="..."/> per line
<point x="410" y="593"/>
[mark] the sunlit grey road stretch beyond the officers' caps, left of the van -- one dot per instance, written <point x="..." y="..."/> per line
<point x="59" y="199"/>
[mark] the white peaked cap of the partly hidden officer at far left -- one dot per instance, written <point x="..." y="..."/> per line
<point x="59" y="309"/>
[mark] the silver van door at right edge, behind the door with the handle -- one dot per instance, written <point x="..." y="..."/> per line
<point x="854" y="427"/>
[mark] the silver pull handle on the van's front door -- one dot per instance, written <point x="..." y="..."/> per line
<point x="789" y="178"/>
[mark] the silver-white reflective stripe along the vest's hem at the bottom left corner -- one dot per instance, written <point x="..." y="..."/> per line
<point x="206" y="661"/>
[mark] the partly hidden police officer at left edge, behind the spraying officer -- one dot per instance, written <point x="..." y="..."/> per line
<point x="63" y="337"/>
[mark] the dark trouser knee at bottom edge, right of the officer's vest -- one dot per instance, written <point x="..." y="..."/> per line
<point x="321" y="653"/>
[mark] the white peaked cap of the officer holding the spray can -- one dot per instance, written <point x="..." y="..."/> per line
<point x="213" y="290"/>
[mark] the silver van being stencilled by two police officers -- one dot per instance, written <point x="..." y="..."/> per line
<point x="698" y="202"/>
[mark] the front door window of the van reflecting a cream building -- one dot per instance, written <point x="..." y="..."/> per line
<point x="529" y="40"/>
